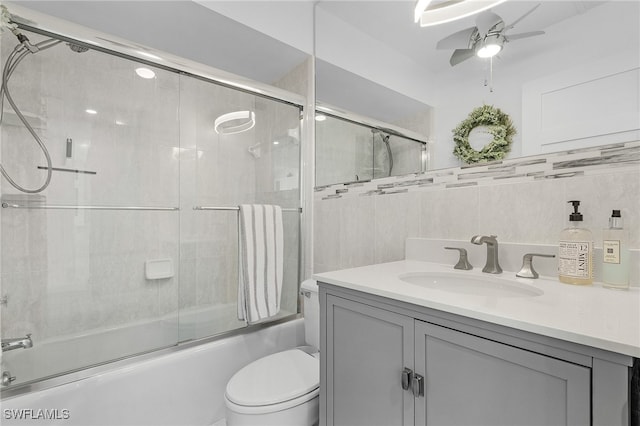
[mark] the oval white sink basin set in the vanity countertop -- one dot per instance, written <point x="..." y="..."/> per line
<point x="471" y="285"/>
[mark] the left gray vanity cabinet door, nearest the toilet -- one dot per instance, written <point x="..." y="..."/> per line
<point x="366" y="352"/>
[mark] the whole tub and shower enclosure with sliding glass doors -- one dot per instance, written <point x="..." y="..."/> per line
<point x="119" y="227"/>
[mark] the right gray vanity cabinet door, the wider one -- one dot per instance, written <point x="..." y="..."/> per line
<point x="475" y="381"/>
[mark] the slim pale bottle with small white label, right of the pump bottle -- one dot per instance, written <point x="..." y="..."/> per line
<point x="615" y="255"/>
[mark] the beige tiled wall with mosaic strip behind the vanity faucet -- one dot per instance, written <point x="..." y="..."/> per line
<point x="520" y="201"/>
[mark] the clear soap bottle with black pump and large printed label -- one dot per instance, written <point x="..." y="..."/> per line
<point x="575" y="254"/>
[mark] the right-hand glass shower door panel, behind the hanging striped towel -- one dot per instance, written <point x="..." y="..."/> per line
<point x="238" y="148"/>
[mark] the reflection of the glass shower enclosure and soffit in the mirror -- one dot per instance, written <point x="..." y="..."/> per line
<point x="384" y="133"/>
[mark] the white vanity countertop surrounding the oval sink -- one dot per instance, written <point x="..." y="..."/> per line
<point x="590" y="315"/>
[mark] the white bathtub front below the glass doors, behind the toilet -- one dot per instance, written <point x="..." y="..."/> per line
<point x="185" y="387"/>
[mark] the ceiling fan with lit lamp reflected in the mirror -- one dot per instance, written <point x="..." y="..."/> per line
<point x="485" y="40"/>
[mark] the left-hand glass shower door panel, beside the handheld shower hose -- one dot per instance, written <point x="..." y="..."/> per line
<point x="80" y="261"/>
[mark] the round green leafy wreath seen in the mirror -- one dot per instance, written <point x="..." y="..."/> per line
<point x="500" y="127"/>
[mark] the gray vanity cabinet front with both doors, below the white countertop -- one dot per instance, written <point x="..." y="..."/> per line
<point x="467" y="380"/>
